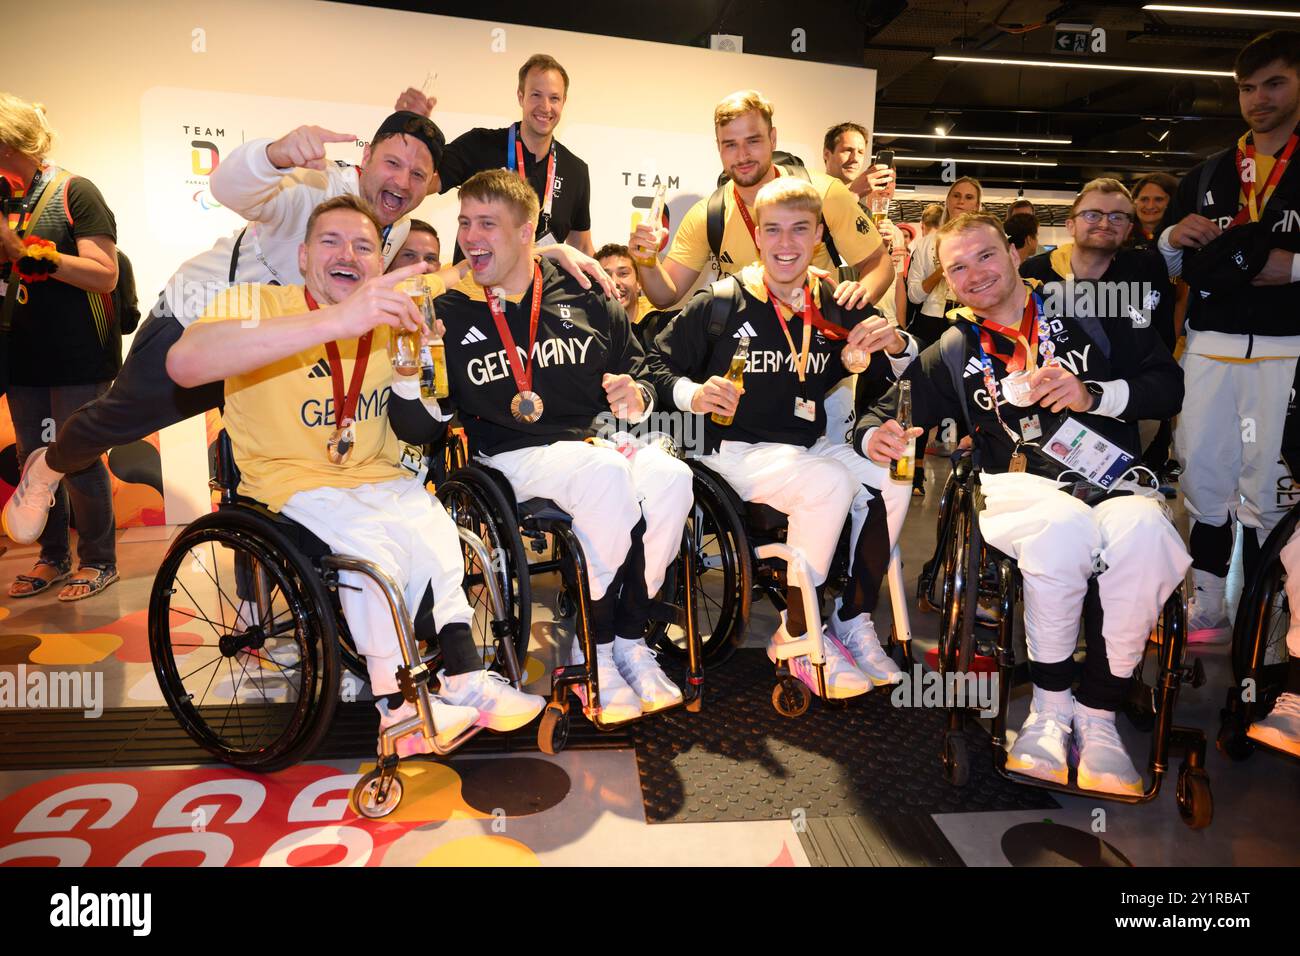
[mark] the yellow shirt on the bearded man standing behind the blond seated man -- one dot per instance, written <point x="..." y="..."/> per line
<point x="855" y="236"/>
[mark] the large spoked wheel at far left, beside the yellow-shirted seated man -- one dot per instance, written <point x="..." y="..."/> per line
<point x="254" y="676"/>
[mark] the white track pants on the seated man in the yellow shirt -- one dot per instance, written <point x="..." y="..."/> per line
<point x="402" y="529"/>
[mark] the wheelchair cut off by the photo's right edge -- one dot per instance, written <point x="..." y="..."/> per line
<point x="1260" y="659"/>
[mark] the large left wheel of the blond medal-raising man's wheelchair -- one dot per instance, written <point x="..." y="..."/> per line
<point x="725" y="574"/>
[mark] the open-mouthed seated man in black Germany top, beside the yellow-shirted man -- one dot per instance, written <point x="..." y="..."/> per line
<point x="536" y="365"/>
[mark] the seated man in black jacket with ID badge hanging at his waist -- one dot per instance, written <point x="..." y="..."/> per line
<point x="1076" y="414"/>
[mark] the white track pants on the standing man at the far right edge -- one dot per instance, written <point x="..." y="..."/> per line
<point x="1229" y="440"/>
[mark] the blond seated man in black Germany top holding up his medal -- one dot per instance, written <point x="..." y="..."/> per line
<point x="801" y="344"/>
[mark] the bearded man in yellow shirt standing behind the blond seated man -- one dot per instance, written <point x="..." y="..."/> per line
<point x="743" y="124"/>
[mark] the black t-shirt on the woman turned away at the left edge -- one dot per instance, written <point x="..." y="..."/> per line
<point x="62" y="335"/>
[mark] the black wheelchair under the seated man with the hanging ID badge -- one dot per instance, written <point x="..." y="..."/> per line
<point x="981" y="589"/>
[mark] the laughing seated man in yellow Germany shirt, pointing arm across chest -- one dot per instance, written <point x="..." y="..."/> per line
<point x="318" y="448"/>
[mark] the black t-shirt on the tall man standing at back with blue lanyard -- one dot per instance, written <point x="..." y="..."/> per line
<point x="483" y="149"/>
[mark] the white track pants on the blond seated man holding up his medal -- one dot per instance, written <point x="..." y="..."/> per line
<point x="817" y="487"/>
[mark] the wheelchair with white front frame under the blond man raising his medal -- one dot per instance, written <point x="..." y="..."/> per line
<point x="739" y="550"/>
